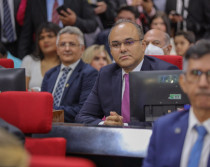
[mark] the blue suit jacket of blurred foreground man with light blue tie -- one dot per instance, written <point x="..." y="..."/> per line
<point x="167" y="140"/>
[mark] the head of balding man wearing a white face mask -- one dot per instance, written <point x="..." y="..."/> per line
<point x="158" y="42"/>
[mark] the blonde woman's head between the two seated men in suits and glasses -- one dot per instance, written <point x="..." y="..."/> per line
<point x="96" y="56"/>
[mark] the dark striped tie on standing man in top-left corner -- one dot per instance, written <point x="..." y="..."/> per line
<point x="8" y="31"/>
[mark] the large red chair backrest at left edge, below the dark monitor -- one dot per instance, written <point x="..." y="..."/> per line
<point x="31" y="112"/>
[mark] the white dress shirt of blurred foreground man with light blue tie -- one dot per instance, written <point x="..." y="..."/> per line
<point x="191" y="138"/>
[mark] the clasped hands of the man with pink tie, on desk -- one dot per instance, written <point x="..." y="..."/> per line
<point x="114" y="119"/>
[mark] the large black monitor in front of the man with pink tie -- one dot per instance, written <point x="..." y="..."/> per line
<point x="155" y="93"/>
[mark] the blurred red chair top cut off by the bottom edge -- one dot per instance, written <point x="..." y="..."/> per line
<point x="46" y="161"/>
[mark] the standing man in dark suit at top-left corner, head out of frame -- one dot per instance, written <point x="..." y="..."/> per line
<point x="11" y="45"/>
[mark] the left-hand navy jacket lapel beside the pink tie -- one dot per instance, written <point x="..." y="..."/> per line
<point x="117" y="90"/>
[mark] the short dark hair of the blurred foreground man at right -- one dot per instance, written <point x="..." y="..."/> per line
<point x="201" y="48"/>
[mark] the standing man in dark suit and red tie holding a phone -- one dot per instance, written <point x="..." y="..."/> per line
<point x="79" y="14"/>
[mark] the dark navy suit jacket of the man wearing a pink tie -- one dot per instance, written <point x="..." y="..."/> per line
<point x="107" y="92"/>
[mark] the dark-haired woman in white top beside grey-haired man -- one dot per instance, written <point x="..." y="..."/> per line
<point x="44" y="57"/>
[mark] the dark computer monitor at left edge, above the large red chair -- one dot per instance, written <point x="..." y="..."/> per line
<point x="12" y="79"/>
